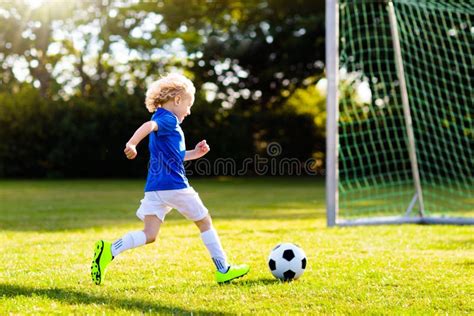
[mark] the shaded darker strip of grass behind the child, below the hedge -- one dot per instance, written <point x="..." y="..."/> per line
<point x="70" y="205"/>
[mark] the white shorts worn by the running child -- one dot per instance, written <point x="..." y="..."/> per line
<point x="160" y="203"/>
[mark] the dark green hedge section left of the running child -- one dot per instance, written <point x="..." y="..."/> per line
<point x="75" y="138"/>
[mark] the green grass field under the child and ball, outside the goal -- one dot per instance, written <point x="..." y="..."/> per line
<point x="48" y="229"/>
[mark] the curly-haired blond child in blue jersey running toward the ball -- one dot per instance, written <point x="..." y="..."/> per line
<point x="170" y="99"/>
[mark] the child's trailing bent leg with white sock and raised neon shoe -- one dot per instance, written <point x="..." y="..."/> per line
<point x="104" y="252"/>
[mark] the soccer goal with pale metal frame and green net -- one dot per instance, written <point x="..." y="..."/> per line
<point x="400" y="111"/>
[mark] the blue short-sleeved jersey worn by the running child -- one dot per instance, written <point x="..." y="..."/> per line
<point x="167" y="149"/>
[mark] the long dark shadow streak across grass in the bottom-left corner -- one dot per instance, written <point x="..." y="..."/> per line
<point x="75" y="297"/>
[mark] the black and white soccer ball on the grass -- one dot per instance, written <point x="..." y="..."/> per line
<point x="287" y="261"/>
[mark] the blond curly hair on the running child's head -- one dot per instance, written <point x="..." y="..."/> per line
<point x="165" y="89"/>
